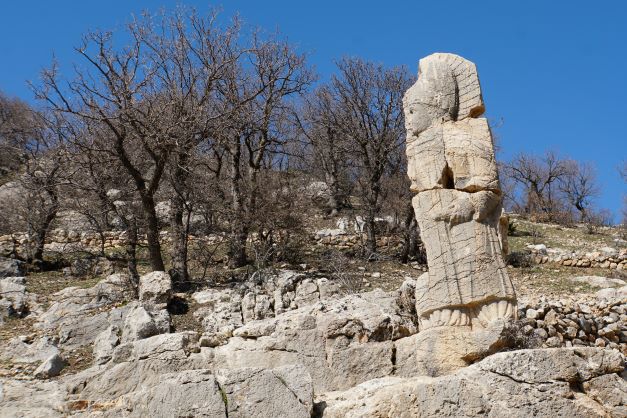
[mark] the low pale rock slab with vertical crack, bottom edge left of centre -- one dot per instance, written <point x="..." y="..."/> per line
<point x="281" y="392"/>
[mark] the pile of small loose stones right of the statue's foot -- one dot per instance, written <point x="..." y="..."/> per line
<point x="566" y="323"/>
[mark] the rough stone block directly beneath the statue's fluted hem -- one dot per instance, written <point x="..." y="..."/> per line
<point x="442" y="350"/>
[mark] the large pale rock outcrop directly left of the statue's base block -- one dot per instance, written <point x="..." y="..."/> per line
<point x="341" y="343"/>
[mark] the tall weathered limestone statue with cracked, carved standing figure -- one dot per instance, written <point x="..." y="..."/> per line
<point x="458" y="202"/>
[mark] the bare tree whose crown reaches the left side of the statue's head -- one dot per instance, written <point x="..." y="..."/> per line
<point x="370" y="118"/>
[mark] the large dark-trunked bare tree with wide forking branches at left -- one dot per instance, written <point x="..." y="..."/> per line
<point x="121" y="92"/>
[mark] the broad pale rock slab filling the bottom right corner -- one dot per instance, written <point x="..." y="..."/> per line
<point x="541" y="383"/>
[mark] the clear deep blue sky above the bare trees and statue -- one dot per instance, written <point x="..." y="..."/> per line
<point x="554" y="73"/>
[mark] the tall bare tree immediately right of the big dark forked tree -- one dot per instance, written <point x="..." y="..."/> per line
<point x="190" y="55"/>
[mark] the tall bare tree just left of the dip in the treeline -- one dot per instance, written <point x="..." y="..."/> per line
<point x="257" y="97"/>
